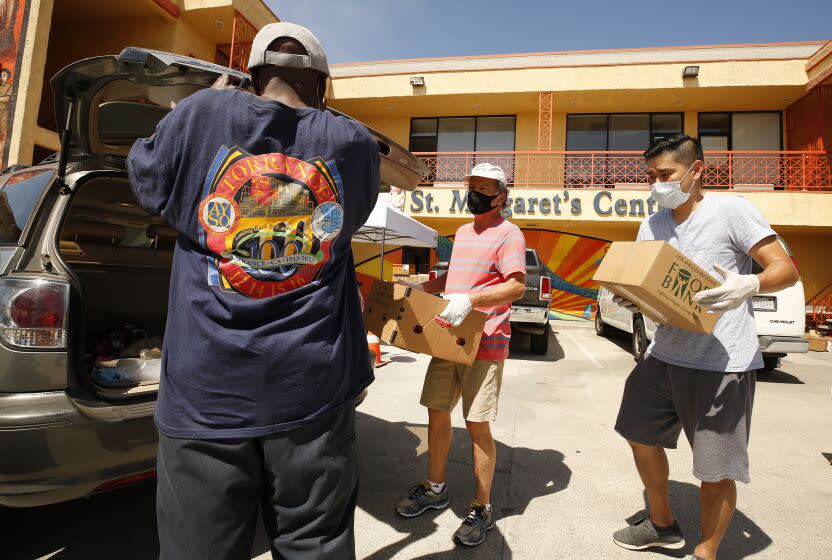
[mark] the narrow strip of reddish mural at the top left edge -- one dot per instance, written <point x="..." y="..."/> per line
<point x="13" y="16"/>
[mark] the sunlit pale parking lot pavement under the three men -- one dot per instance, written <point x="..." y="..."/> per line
<point x="565" y="481"/>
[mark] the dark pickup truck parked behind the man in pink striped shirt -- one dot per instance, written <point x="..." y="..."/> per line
<point x="530" y="314"/>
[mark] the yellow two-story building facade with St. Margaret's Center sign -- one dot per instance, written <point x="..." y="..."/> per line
<point x="569" y="129"/>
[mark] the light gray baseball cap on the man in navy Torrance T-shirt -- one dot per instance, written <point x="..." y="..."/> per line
<point x="261" y="56"/>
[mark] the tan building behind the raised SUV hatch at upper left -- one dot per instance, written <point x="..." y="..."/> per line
<point x="39" y="37"/>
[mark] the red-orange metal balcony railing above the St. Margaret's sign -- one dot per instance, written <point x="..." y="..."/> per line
<point x="746" y="170"/>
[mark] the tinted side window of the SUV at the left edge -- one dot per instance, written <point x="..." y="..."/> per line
<point x="18" y="199"/>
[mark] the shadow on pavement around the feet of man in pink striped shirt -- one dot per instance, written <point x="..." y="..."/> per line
<point x="393" y="457"/>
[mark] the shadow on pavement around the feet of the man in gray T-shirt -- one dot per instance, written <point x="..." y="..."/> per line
<point x="744" y="538"/>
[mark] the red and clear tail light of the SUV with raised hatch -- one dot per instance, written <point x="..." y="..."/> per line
<point x="33" y="312"/>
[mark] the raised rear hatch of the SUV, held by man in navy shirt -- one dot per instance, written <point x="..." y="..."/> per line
<point x="106" y="103"/>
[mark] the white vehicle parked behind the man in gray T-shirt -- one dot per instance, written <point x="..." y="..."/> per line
<point x="780" y="319"/>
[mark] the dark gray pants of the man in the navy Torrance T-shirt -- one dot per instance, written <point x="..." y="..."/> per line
<point x="305" y="481"/>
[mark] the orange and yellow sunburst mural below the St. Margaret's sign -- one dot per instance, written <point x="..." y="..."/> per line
<point x="571" y="261"/>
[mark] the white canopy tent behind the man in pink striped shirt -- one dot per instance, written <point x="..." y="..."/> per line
<point x="388" y="226"/>
